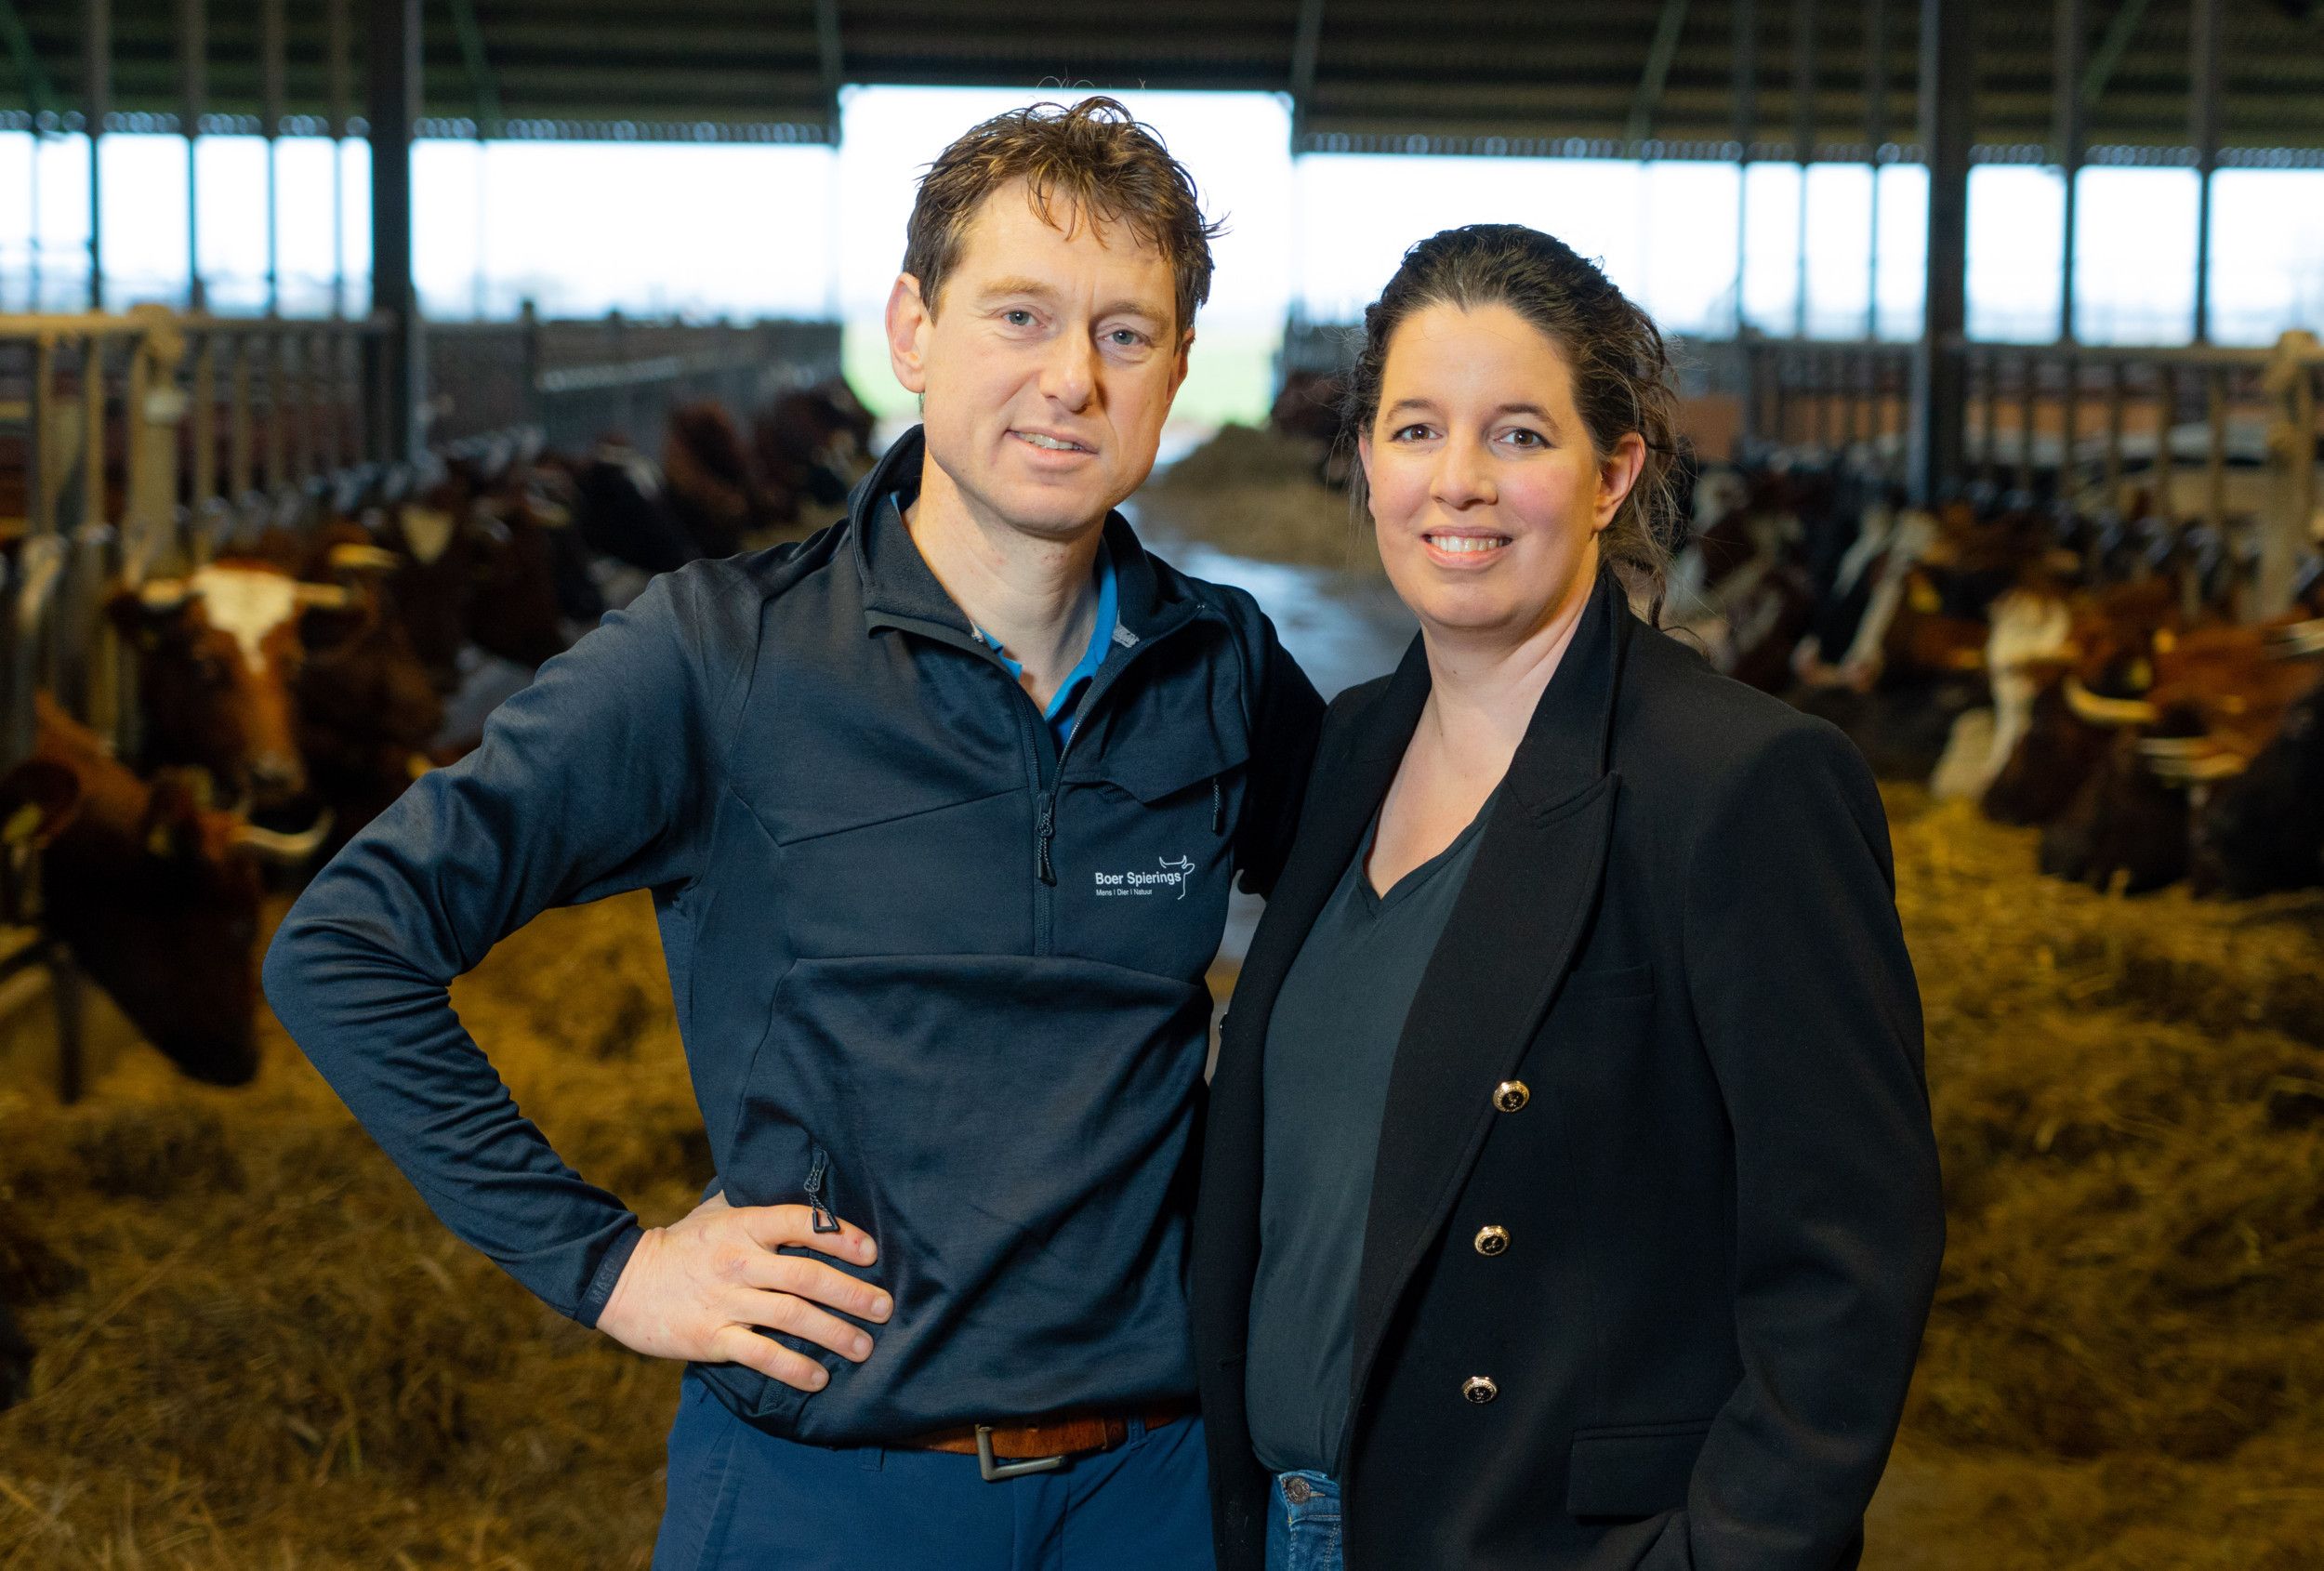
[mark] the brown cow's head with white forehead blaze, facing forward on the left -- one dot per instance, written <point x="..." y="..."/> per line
<point x="217" y="659"/>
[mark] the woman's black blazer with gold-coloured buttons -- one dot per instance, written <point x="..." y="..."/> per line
<point x="1670" y="1042"/>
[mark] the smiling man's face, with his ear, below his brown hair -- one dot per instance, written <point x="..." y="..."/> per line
<point x="1047" y="368"/>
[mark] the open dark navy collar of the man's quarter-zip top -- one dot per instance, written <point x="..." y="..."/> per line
<point x="901" y="591"/>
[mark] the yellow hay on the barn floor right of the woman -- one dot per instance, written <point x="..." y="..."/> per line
<point x="2125" y="1365"/>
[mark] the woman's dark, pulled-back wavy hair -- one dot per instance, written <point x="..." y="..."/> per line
<point x="1616" y="354"/>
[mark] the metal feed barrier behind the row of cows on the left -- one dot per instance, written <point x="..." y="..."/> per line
<point x="155" y="440"/>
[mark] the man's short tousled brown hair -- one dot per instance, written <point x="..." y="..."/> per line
<point x="1098" y="159"/>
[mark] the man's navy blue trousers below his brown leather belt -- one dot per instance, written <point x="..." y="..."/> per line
<point x="743" y="1500"/>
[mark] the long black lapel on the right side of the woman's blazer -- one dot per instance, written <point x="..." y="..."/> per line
<point x="1498" y="966"/>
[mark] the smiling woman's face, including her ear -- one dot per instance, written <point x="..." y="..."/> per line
<point x="1486" y="492"/>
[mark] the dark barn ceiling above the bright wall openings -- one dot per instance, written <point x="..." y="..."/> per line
<point x="1368" y="73"/>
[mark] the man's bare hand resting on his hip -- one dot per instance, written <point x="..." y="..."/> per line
<point x="701" y="1289"/>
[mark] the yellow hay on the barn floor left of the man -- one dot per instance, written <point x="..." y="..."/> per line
<point x="278" y="1354"/>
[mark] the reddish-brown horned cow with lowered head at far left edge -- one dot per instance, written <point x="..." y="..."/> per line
<point x="152" y="891"/>
